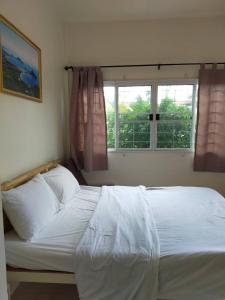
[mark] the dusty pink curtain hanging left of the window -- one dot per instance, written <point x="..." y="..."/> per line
<point x="88" y="120"/>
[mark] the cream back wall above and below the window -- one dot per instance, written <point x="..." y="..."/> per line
<point x="166" y="41"/>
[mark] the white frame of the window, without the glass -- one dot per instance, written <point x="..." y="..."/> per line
<point x="154" y="99"/>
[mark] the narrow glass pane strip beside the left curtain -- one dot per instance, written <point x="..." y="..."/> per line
<point x="109" y="94"/>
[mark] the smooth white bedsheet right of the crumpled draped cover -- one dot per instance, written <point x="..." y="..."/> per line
<point x="191" y="228"/>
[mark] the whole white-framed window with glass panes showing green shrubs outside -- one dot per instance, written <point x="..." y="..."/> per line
<point x="150" y="115"/>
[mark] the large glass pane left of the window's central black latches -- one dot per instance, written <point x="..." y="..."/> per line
<point x="134" y="106"/>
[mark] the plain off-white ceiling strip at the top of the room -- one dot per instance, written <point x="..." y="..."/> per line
<point x="124" y="10"/>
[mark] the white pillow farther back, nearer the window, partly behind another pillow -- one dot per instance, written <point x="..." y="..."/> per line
<point x="63" y="183"/>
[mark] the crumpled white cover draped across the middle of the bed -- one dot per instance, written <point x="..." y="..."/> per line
<point x="118" y="255"/>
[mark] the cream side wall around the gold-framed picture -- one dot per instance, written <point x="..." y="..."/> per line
<point x="30" y="132"/>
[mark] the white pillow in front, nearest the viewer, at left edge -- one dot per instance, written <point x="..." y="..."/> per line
<point x="30" y="206"/>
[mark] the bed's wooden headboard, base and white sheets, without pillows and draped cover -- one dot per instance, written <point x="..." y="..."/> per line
<point x="191" y="233"/>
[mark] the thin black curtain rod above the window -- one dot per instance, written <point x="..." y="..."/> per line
<point x="154" y="65"/>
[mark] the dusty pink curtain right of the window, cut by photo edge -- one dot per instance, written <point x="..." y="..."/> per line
<point x="210" y="135"/>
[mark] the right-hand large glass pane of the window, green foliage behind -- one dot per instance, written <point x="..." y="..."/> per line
<point x="174" y="129"/>
